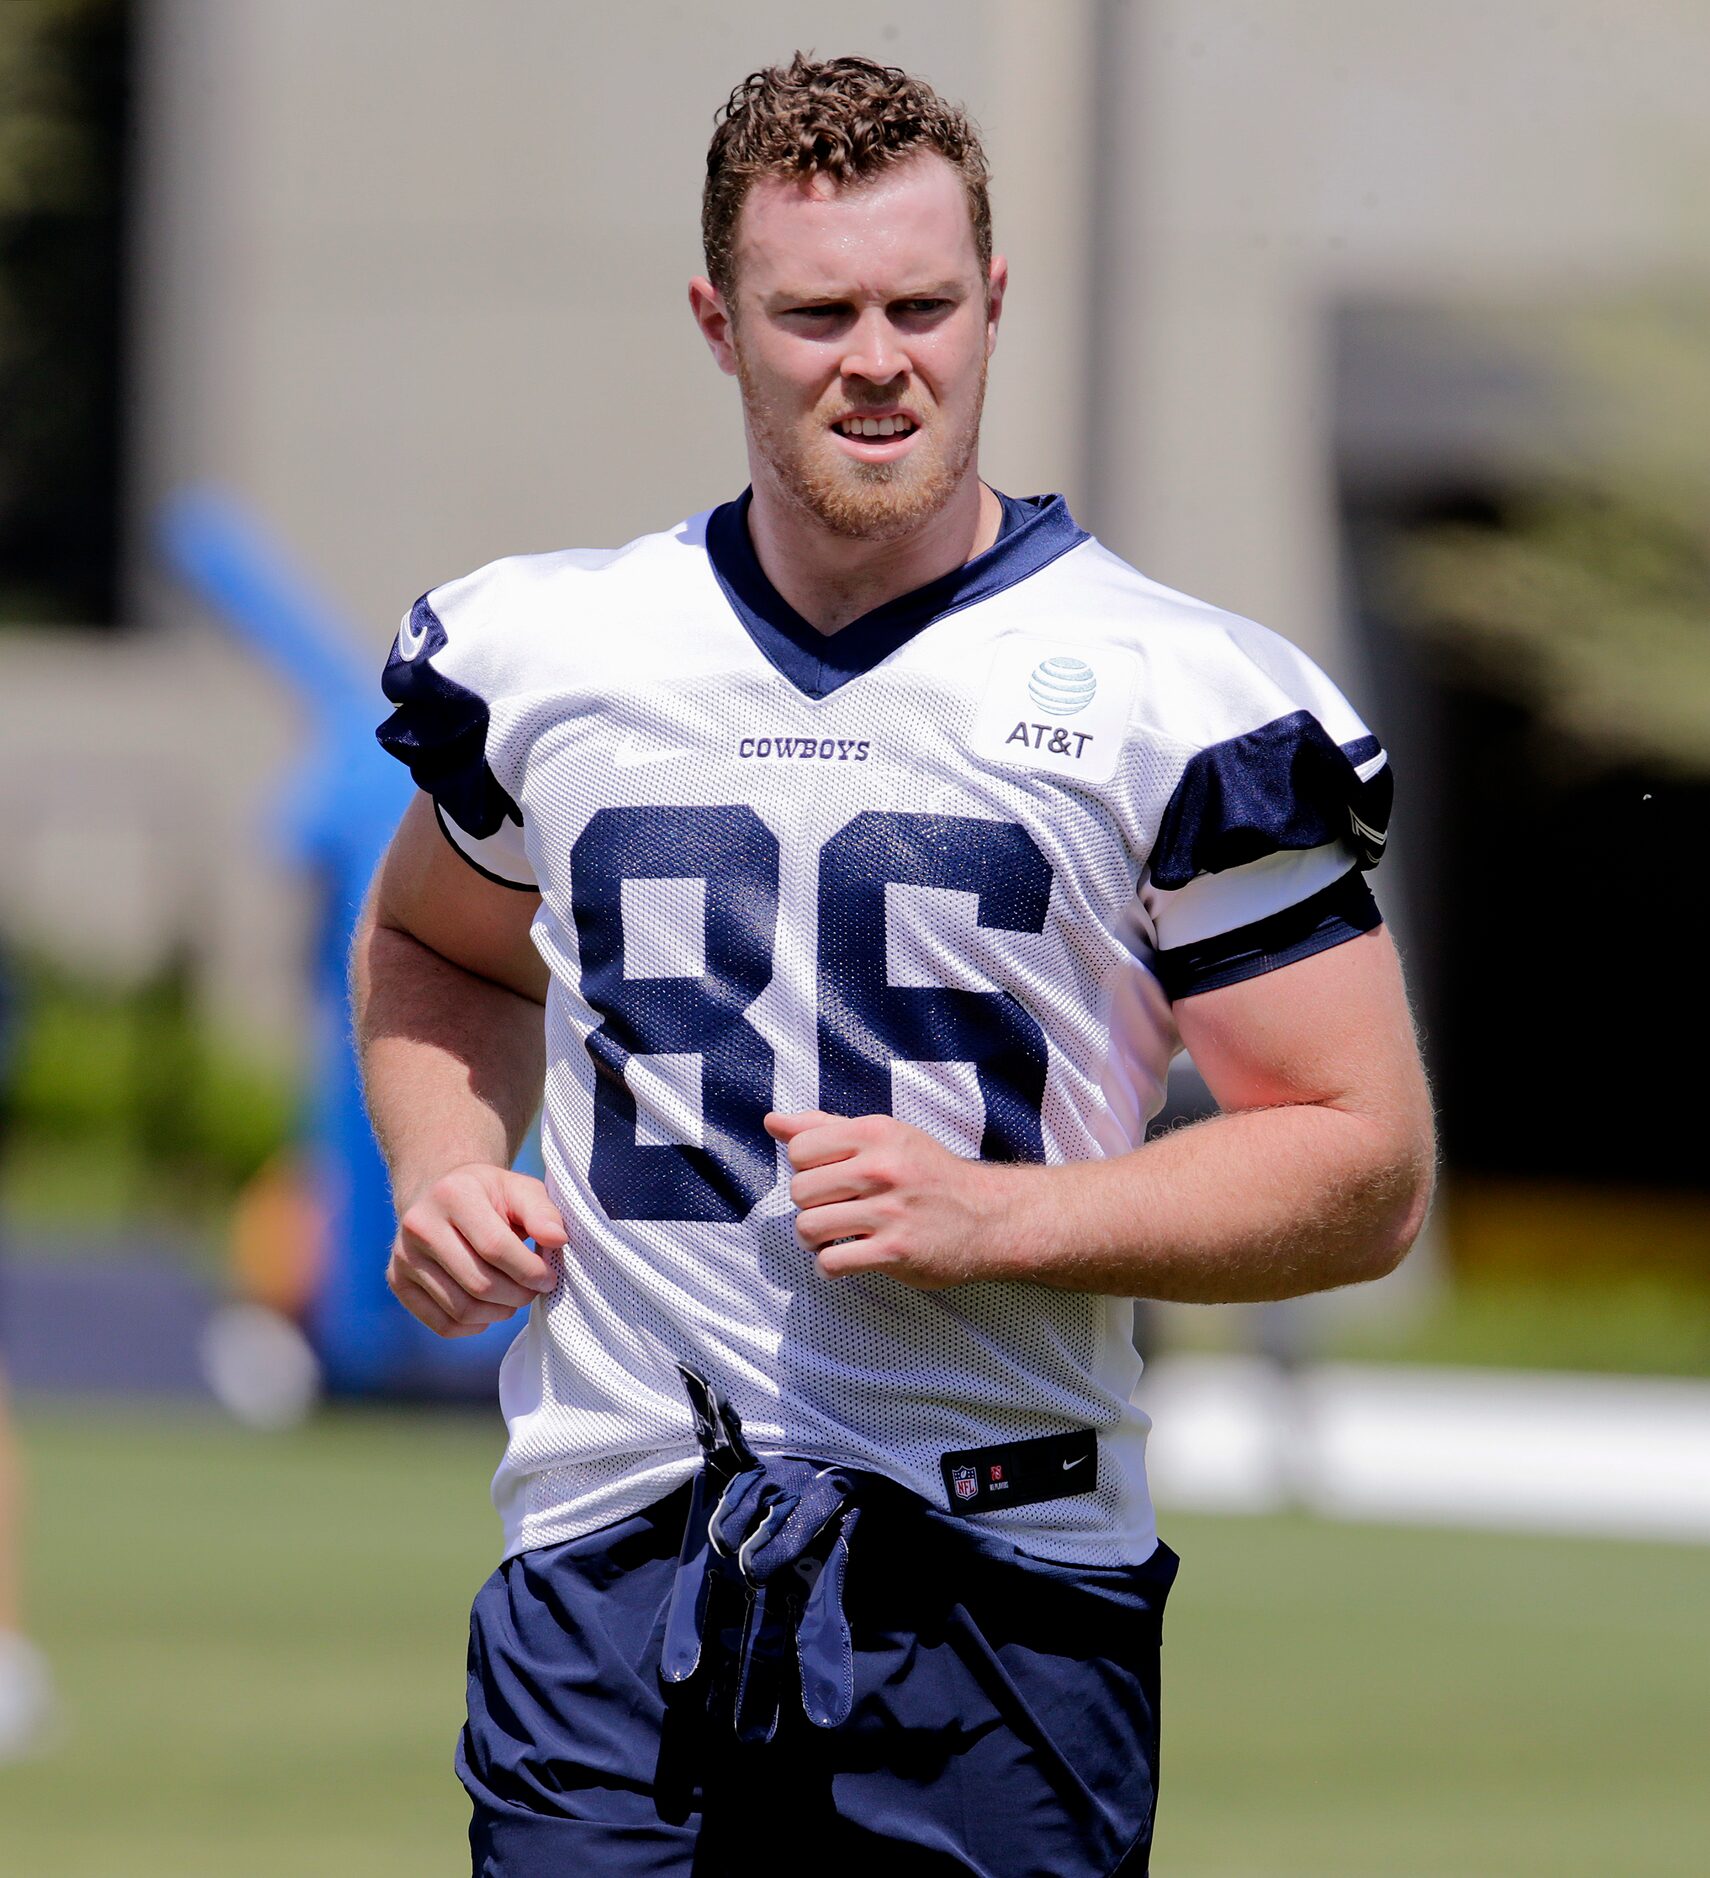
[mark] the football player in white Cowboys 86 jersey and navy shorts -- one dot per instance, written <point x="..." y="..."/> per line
<point x="844" y="869"/>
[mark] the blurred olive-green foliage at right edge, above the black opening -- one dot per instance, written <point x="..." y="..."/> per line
<point x="1587" y="598"/>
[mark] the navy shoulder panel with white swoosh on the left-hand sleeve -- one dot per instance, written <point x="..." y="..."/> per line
<point x="438" y="731"/>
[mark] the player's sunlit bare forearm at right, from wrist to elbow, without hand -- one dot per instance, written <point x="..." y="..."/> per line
<point x="1249" y="1207"/>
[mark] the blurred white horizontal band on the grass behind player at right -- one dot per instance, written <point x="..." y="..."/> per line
<point x="1544" y="1453"/>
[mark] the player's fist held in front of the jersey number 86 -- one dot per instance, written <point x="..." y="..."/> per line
<point x="878" y="1195"/>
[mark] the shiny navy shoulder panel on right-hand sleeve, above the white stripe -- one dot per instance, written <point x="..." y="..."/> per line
<point x="1285" y="786"/>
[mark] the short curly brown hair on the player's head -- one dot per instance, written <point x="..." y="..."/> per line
<point x="836" y="117"/>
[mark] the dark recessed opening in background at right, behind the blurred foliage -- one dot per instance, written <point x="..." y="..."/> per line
<point x="1557" y="885"/>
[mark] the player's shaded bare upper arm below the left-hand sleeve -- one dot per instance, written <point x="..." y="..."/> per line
<point x="427" y="889"/>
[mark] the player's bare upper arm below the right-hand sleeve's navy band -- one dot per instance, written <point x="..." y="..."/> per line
<point x="1330" y="1030"/>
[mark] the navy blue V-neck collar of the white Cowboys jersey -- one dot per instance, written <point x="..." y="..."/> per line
<point x="1035" y="531"/>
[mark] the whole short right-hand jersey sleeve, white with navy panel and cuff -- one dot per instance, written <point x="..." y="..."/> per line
<point x="1266" y="837"/>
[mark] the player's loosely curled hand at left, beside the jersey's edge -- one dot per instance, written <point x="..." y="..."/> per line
<point x="461" y="1261"/>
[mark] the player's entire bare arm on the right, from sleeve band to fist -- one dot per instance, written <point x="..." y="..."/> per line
<point x="1317" y="1173"/>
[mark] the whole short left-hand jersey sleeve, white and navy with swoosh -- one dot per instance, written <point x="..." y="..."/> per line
<point x="444" y="683"/>
